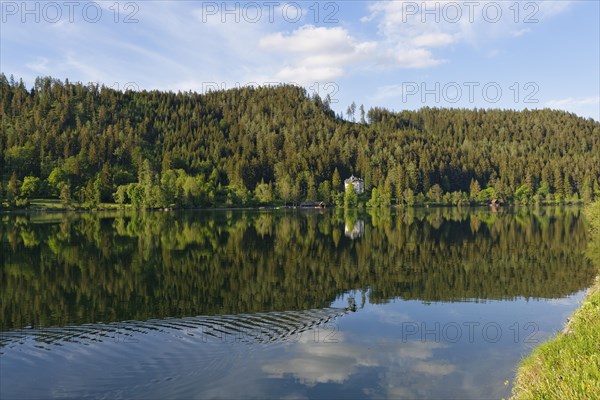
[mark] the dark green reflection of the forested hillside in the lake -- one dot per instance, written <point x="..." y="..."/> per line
<point x="74" y="268"/>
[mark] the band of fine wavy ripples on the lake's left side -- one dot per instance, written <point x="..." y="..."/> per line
<point x="269" y="327"/>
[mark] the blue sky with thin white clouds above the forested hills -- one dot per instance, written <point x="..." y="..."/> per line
<point x="393" y="54"/>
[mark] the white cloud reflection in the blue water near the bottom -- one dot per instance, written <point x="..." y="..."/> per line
<point x="312" y="363"/>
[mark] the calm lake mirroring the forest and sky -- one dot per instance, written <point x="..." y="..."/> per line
<point x="416" y="303"/>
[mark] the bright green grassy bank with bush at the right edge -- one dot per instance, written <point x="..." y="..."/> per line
<point x="568" y="366"/>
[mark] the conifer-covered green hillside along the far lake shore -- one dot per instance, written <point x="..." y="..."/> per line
<point x="87" y="144"/>
